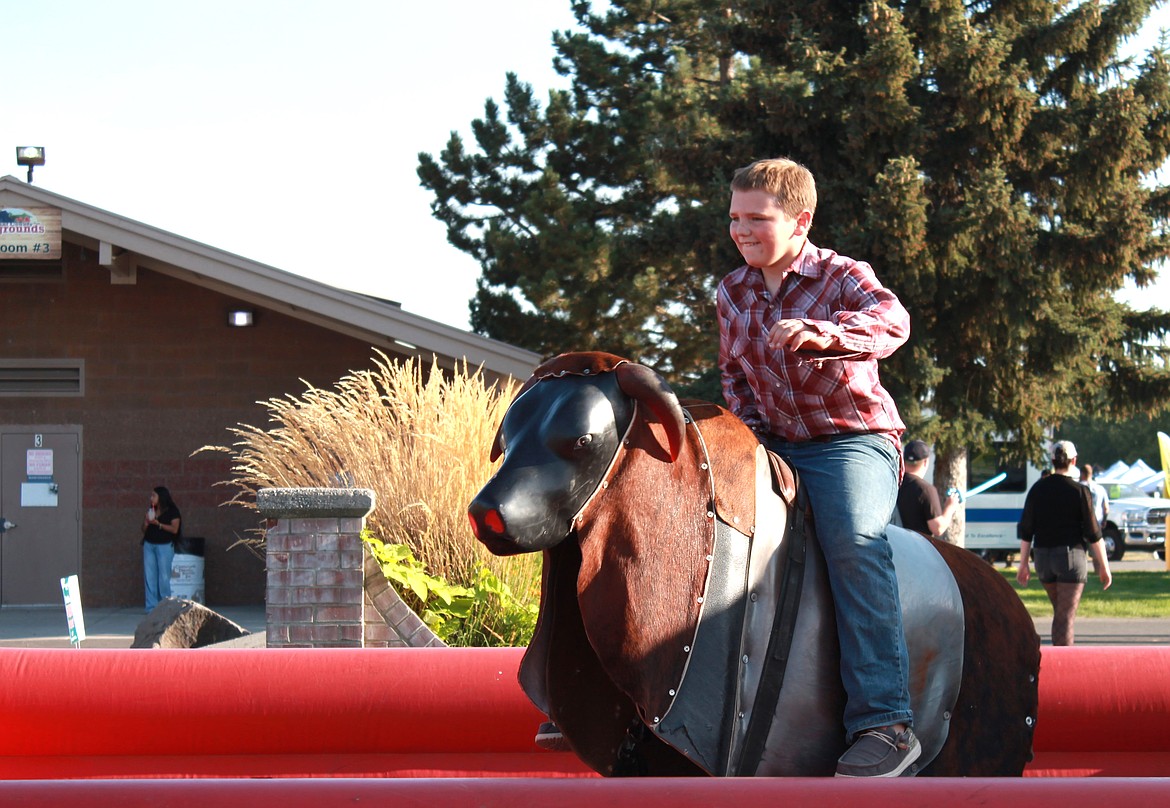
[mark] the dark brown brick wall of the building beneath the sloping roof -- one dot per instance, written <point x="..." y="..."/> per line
<point x="164" y="377"/>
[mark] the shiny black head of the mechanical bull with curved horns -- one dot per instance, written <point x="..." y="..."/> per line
<point x="559" y="440"/>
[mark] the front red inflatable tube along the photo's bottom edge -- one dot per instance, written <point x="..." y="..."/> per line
<point x="680" y="793"/>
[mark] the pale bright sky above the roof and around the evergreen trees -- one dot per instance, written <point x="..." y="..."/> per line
<point x="286" y="132"/>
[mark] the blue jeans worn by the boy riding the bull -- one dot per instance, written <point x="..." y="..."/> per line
<point x="852" y="486"/>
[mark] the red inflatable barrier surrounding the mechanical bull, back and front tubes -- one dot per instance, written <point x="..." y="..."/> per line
<point x="223" y="727"/>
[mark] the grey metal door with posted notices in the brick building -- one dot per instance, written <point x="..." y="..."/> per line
<point x="40" y="493"/>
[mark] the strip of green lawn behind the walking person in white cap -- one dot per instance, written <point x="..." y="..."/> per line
<point x="1134" y="595"/>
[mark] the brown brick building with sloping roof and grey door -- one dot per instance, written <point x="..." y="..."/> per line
<point x="118" y="363"/>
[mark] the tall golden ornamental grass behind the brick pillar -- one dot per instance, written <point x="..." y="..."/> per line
<point x="421" y="441"/>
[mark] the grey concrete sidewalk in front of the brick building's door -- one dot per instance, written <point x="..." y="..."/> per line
<point x="47" y="627"/>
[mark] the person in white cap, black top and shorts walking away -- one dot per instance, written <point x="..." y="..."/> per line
<point x="1058" y="522"/>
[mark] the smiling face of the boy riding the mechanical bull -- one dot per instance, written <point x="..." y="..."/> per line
<point x="767" y="237"/>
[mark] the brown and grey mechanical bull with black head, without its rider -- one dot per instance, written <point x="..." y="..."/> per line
<point x="686" y="624"/>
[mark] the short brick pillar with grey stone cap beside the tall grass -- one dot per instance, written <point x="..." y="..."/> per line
<point x="315" y="567"/>
